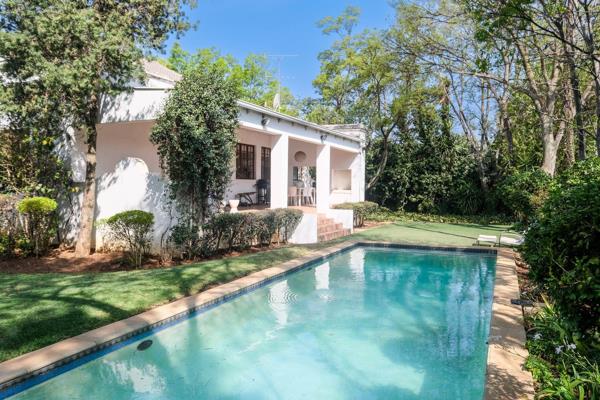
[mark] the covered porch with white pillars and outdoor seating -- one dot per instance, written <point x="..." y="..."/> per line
<point x="278" y="171"/>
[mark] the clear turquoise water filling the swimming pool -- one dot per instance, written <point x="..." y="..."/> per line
<point x="369" y="323"/>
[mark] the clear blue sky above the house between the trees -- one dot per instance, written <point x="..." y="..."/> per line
<point x="238" y="27"/>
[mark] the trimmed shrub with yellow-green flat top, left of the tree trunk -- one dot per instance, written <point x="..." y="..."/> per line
<point x="40" y="222"/>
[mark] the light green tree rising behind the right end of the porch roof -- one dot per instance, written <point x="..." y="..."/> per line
<point x="361" y="81"/>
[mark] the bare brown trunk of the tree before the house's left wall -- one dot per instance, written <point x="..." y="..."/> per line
<point x="86" y="223"/>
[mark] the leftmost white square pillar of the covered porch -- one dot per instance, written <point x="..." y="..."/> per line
<point x="279" y="171"/>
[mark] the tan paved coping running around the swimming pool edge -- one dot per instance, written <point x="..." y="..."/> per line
<point x="506" y="377"/>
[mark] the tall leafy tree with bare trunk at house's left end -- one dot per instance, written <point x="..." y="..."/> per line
<point x="78" y="53"/>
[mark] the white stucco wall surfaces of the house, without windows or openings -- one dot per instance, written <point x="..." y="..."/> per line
<point x="129" y="176"/>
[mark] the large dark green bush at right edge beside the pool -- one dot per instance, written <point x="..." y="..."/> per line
<point x="562" y="246"/>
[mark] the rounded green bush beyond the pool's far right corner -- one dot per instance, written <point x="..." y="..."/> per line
<point x="523" y="193"/>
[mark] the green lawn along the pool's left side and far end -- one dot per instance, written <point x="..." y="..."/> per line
<point x="37" y="310"/>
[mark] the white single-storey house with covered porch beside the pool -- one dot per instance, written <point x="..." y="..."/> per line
<point x="306" y="165"/>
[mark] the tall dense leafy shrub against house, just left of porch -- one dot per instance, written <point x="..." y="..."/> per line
<point x="195" y="136"/>
